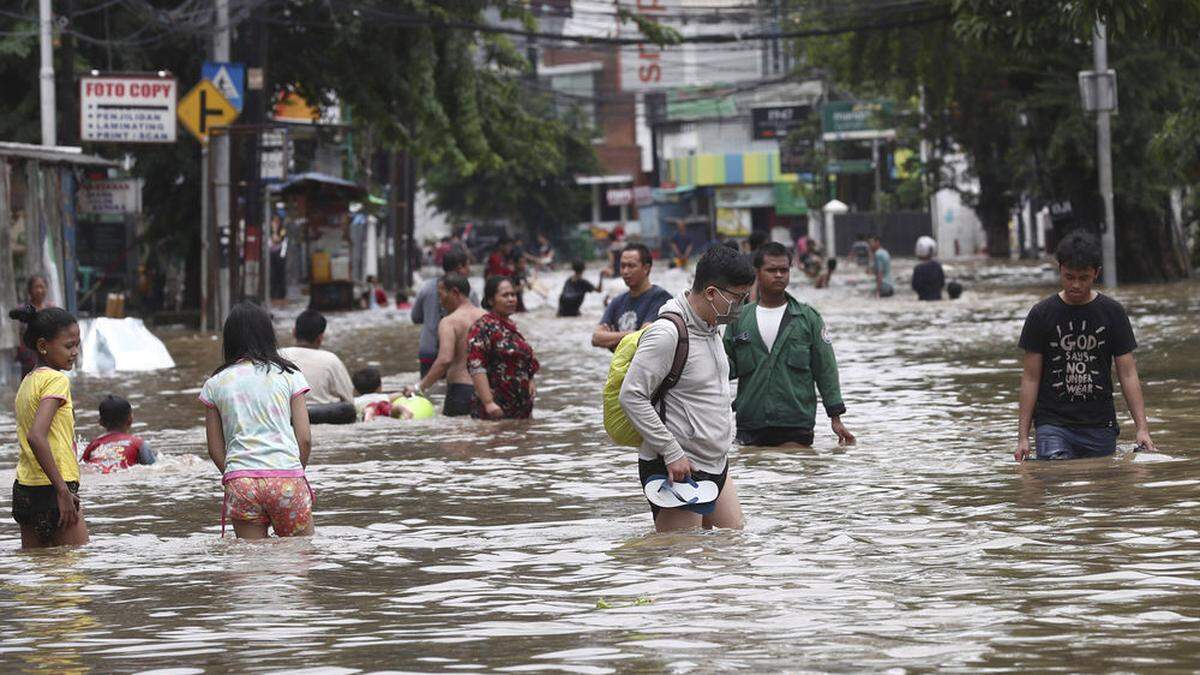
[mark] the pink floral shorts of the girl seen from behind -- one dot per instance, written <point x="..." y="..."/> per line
<point x="283" y="503"/>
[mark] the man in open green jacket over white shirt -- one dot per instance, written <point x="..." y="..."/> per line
<point x="781" y="354"/>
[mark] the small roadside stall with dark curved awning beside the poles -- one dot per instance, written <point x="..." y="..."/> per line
<point x="321" y="206"/>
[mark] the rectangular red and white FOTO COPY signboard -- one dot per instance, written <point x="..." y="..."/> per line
<point x="128" y="109"/>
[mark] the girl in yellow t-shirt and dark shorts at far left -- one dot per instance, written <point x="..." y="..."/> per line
<point x="45" y="497"/>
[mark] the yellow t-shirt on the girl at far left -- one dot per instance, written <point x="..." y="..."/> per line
<point x="46" y="384"/>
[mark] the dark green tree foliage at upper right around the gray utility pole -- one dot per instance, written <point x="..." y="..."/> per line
<point x="999" y="82"/>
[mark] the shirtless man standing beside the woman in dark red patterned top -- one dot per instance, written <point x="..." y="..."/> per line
<point x="454" y="294"/>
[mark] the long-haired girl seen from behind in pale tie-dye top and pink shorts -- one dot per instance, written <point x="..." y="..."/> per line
<point x="259" y="434"/>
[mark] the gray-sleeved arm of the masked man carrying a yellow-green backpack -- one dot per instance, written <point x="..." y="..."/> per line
<point x="647" y="371"/>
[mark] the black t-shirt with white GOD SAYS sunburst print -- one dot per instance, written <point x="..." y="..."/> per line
<point x="1078" y="344"/>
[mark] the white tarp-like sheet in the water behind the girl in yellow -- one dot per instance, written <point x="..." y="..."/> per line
<point x="112" y="345"/>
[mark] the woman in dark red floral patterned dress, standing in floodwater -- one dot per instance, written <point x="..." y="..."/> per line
<point x="501" y="362"/>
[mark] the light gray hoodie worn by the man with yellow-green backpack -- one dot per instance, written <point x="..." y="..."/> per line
<point x="699" y="408"/>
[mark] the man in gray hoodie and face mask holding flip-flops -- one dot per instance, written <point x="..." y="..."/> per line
<point x="695" y="432"/>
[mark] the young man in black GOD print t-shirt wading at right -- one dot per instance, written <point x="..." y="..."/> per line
<point x="1071" y="343"/>
